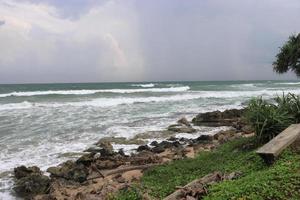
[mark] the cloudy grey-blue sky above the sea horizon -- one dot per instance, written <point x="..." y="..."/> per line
<point x="47" y="41"/>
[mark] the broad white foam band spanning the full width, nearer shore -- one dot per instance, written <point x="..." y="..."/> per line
<point x="108" y="102"/>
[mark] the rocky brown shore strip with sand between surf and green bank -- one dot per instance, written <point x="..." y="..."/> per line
<point x="102" y="171"/>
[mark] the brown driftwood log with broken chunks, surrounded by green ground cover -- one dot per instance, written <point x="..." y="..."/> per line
<point x="196" y="187"/>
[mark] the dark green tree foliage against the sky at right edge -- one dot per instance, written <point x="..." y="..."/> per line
<point x="289" y="56"/>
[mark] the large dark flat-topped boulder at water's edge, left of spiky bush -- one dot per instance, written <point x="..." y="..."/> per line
<point x="218" y="118"/>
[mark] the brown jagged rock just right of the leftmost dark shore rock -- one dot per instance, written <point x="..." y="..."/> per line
<point x="69" y="170"/>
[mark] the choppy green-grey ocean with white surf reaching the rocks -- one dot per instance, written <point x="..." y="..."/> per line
<point x="46" y="124"/>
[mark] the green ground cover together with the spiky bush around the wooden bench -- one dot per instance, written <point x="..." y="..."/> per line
<point x="258" y="181"/>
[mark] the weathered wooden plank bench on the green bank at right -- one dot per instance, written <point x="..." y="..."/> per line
<point x="273" y="148"/>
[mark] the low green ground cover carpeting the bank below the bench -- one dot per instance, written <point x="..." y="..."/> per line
<point x="259" y="181"/>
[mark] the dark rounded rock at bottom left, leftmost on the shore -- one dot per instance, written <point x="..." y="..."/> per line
<point x="31" y="185"/>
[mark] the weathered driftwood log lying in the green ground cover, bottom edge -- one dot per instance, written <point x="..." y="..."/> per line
<point x="198" y="183"/>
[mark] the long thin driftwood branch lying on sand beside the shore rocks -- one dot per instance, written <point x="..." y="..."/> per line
<point x="106" y="173"/>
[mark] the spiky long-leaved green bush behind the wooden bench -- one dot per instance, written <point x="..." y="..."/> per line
<point x="269" y="119"/>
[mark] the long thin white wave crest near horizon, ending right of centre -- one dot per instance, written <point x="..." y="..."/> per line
<point x="86" y="92"/>
